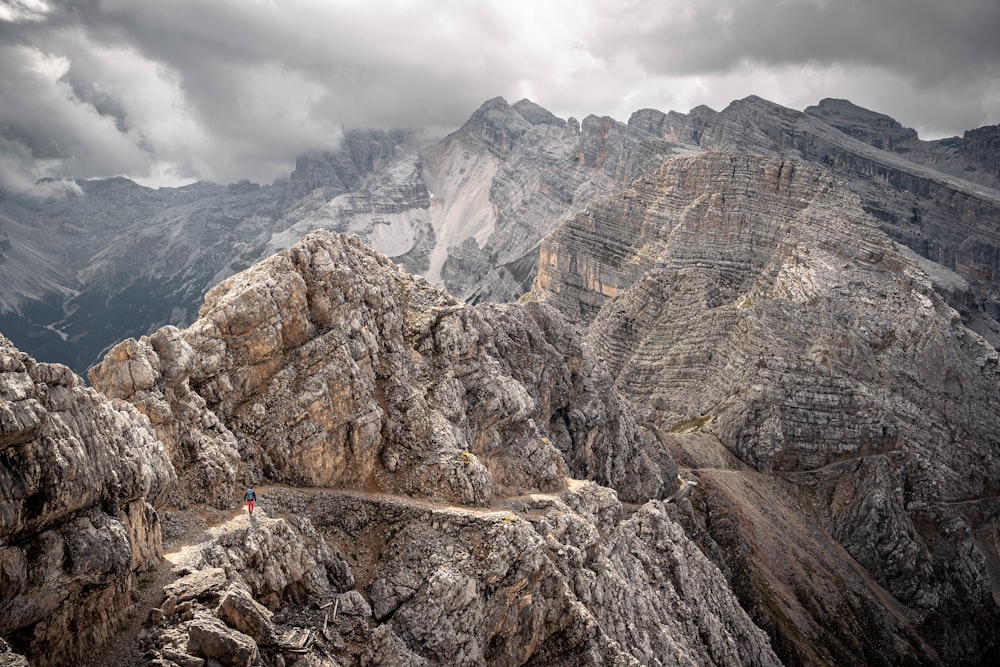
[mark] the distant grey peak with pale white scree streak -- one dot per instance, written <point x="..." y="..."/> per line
<point x="469" y="211"/>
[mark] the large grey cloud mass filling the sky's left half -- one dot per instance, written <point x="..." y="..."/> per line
<point x="233" y="90"/>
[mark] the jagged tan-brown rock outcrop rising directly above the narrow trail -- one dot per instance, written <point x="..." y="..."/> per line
<point x="330" y="366"/>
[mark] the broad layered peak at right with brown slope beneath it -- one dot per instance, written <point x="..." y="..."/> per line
<point x="753" y="299"/>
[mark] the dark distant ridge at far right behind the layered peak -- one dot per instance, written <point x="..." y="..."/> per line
<point x="946" y="219"/>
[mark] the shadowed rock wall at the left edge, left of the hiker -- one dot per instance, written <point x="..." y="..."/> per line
<point x="79" y="475"/>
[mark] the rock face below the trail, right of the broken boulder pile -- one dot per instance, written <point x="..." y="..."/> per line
<point x="555" y="579"/>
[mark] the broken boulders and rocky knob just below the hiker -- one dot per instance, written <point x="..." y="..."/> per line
<point x="222" y="608"/>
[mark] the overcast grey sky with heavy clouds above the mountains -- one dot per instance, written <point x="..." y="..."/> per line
<point x="170" y="91"/>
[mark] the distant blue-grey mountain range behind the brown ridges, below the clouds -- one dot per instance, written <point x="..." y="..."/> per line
<point x="467" y="211"/>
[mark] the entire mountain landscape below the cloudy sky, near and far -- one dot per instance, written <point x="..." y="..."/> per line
<point x="716" y="388"/>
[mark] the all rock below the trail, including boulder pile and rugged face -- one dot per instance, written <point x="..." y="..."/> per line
<point x="553" y="579"/>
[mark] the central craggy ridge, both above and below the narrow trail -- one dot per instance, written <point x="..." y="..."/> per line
<point x="438" y="440"/>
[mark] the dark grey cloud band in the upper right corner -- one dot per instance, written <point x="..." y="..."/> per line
<point x="926" y="40"/>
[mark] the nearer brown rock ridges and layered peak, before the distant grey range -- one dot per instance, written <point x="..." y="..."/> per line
<point x="749" y="326"/>
